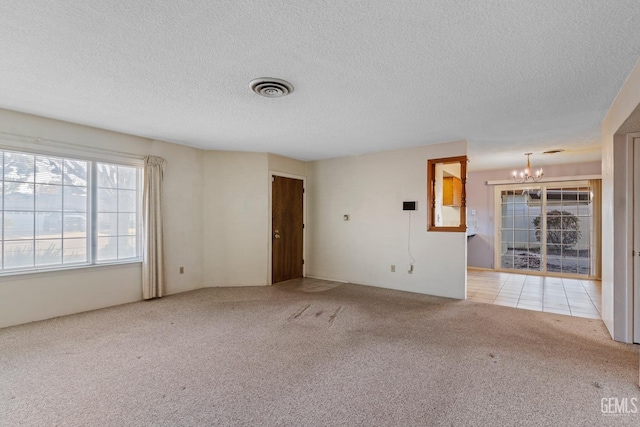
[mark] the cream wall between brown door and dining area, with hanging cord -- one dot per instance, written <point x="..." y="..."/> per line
<point x="371" y="188"/>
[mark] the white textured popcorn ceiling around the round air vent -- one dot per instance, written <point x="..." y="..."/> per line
<point x="508" y="76"/>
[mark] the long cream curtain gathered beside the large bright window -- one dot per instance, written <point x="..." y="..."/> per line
<point x="153" y="258"/>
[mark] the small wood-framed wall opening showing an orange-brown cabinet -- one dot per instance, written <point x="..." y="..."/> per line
<point x="446" y="194"/>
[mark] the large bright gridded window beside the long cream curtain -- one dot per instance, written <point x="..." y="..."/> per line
<point x="59" y="212"/>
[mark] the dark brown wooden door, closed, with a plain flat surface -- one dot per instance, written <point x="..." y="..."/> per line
<point x="286" y="228"/>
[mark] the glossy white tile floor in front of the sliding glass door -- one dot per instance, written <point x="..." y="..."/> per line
<point x="572" y="297"/>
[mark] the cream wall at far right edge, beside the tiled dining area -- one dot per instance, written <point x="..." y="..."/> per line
<point x="617" y="290"/>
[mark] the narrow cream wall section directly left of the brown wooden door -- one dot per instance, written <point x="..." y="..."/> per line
<point x="235" y="219"/>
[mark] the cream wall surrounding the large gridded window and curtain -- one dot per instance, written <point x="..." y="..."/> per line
<point x="30" y="297"/>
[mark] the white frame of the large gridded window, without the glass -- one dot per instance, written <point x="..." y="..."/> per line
<point x="91" y="208"/>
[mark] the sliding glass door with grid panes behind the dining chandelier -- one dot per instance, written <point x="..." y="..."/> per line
<point x="546" y="228"/>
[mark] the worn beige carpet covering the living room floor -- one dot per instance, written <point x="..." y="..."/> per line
<point x="343" y="355"/>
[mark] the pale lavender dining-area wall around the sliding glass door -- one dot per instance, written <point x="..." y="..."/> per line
<point x="480" y="197"/>
